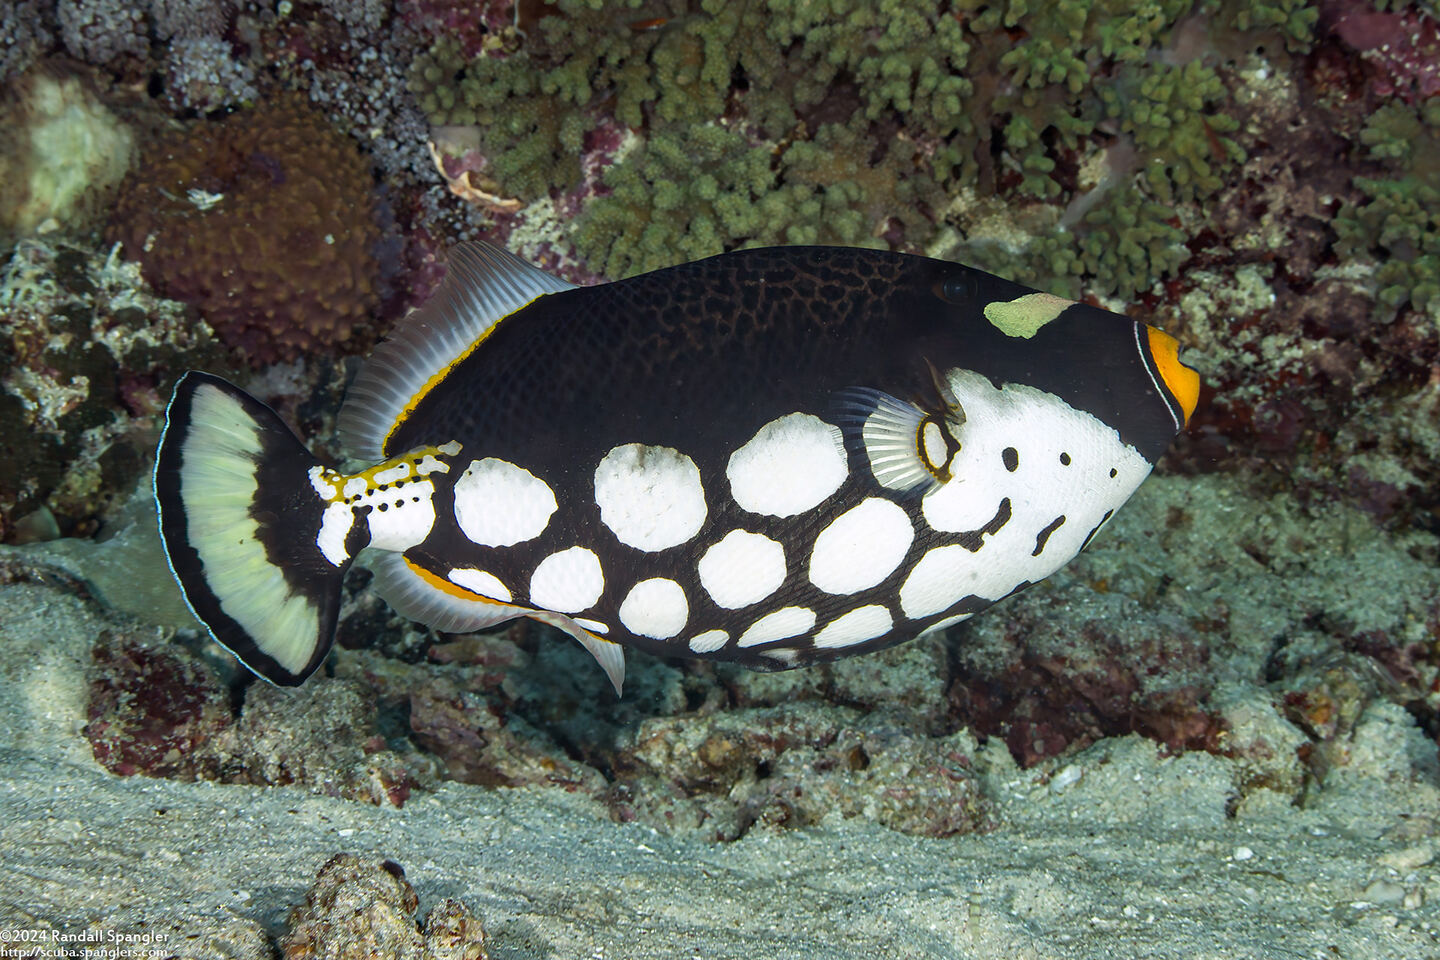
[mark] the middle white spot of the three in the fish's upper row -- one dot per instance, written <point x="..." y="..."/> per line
<point x="650" y="496"/>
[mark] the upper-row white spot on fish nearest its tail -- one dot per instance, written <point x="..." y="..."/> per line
<point x="499" y="504"/>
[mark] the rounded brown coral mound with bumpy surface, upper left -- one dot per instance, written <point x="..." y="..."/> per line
<point x="266" y="222"/>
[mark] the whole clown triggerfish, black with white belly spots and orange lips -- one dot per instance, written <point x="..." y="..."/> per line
<point x="775" y="457"/>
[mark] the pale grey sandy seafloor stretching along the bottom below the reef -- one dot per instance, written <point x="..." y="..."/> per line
<point x="1115" y="851"/>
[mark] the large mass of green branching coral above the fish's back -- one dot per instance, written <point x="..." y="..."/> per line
<point x="858" y="122"/>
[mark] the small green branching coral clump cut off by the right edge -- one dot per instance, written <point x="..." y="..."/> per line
<point x="1400" y="224"/>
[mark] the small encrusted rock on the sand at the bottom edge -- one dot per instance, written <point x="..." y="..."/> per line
<point x="366" y="909"/>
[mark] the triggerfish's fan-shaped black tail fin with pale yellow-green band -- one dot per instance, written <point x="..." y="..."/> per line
<point x="241" y="520"/>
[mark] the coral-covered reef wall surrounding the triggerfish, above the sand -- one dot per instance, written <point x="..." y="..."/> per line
<point x="1258" y="178"/>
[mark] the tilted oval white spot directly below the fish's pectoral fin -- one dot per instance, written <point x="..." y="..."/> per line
<point x="862" y="548"/>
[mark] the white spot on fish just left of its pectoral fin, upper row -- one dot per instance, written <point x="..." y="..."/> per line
<point x="791" y="466"/>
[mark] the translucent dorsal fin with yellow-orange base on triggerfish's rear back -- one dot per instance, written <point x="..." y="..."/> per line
<point x="483" y="286"/>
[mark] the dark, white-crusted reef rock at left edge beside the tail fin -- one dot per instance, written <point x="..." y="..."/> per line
<point x="89" y="356"/>
